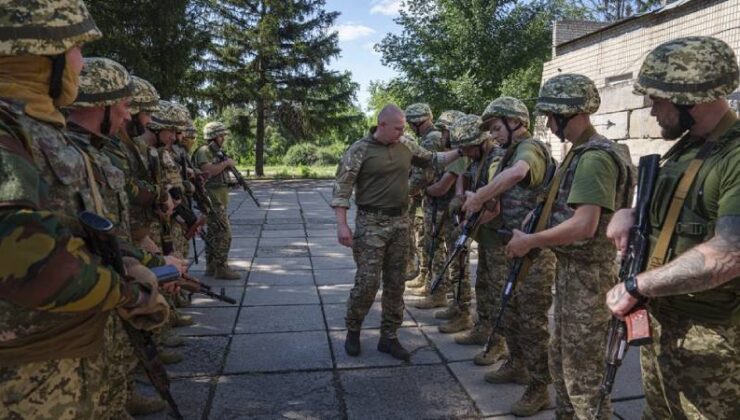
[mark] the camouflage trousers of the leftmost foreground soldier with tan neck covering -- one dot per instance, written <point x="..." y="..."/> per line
<point x="52" y="389"/>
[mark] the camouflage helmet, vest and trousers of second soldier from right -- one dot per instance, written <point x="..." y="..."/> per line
<point x="586" y="270"/>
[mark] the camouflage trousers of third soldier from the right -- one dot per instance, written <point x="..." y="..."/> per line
<point x="525" y="320"/>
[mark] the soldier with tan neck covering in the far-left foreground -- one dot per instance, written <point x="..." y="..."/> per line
<point x="55" y="297"/>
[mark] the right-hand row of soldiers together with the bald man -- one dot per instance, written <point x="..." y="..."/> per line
<point x="581" y="222"/>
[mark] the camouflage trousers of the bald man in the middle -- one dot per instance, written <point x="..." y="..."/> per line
<point x="380" y="249"/>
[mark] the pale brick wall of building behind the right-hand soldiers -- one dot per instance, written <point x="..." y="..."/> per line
<point x="612" y="57"/>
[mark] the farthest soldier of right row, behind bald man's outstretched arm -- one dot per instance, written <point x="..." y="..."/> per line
<point x="419" y="118"/>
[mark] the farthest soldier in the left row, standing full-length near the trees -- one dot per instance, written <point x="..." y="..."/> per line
<point x="219" y="230"/>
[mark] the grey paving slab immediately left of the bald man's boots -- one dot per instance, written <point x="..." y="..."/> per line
<point x="278" y="352"/>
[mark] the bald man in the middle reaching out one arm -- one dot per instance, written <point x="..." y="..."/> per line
<point x="380" y="243"/>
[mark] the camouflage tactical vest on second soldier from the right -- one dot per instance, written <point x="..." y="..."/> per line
<point x="598" y="248"/>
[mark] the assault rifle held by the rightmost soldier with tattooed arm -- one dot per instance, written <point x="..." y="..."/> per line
<point x="635" y="329"/>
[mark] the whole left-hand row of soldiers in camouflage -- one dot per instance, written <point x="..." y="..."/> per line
<point x="81" y="136"/>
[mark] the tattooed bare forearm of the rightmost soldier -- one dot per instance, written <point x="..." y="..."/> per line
<point x="703" y="267"/>
